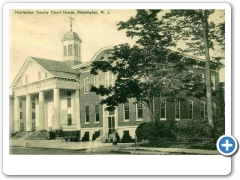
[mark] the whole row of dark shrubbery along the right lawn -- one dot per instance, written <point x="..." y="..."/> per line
<point x="191" y="134"/>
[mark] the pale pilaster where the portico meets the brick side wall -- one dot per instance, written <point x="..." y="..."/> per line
<point x="76" y="110"/>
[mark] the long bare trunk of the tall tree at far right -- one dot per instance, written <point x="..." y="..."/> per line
<point x="207" y="69"/>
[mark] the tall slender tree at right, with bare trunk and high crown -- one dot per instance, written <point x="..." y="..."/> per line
<point x="199" y="34"/>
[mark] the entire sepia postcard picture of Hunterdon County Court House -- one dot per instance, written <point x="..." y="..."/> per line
<point x="116" y="82"/>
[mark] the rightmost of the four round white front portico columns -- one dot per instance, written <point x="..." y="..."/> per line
<point x="56" y="106"/>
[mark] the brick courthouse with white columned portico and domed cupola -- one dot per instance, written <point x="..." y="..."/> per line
<point x="51" y="95"/>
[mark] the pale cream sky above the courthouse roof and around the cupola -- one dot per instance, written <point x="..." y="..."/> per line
<point x="40" y="35"/>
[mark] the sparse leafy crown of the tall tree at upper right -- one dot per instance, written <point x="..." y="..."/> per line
<point x="188" y="25"/>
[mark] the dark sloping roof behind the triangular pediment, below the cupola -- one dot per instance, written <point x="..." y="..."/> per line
<point x="54" y="66"/>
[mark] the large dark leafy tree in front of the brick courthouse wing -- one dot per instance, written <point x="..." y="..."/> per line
<point x="149" y="68"/>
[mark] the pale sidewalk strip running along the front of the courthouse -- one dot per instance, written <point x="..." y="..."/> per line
<point x="120" y="148"/>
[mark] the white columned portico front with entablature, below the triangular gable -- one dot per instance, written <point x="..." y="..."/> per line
<point x="56" y="105"/>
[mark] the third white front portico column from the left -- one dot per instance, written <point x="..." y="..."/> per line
<point x="41" y="111"/>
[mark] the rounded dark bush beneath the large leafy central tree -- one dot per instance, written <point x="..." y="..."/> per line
<point x="154" y="131"/>
